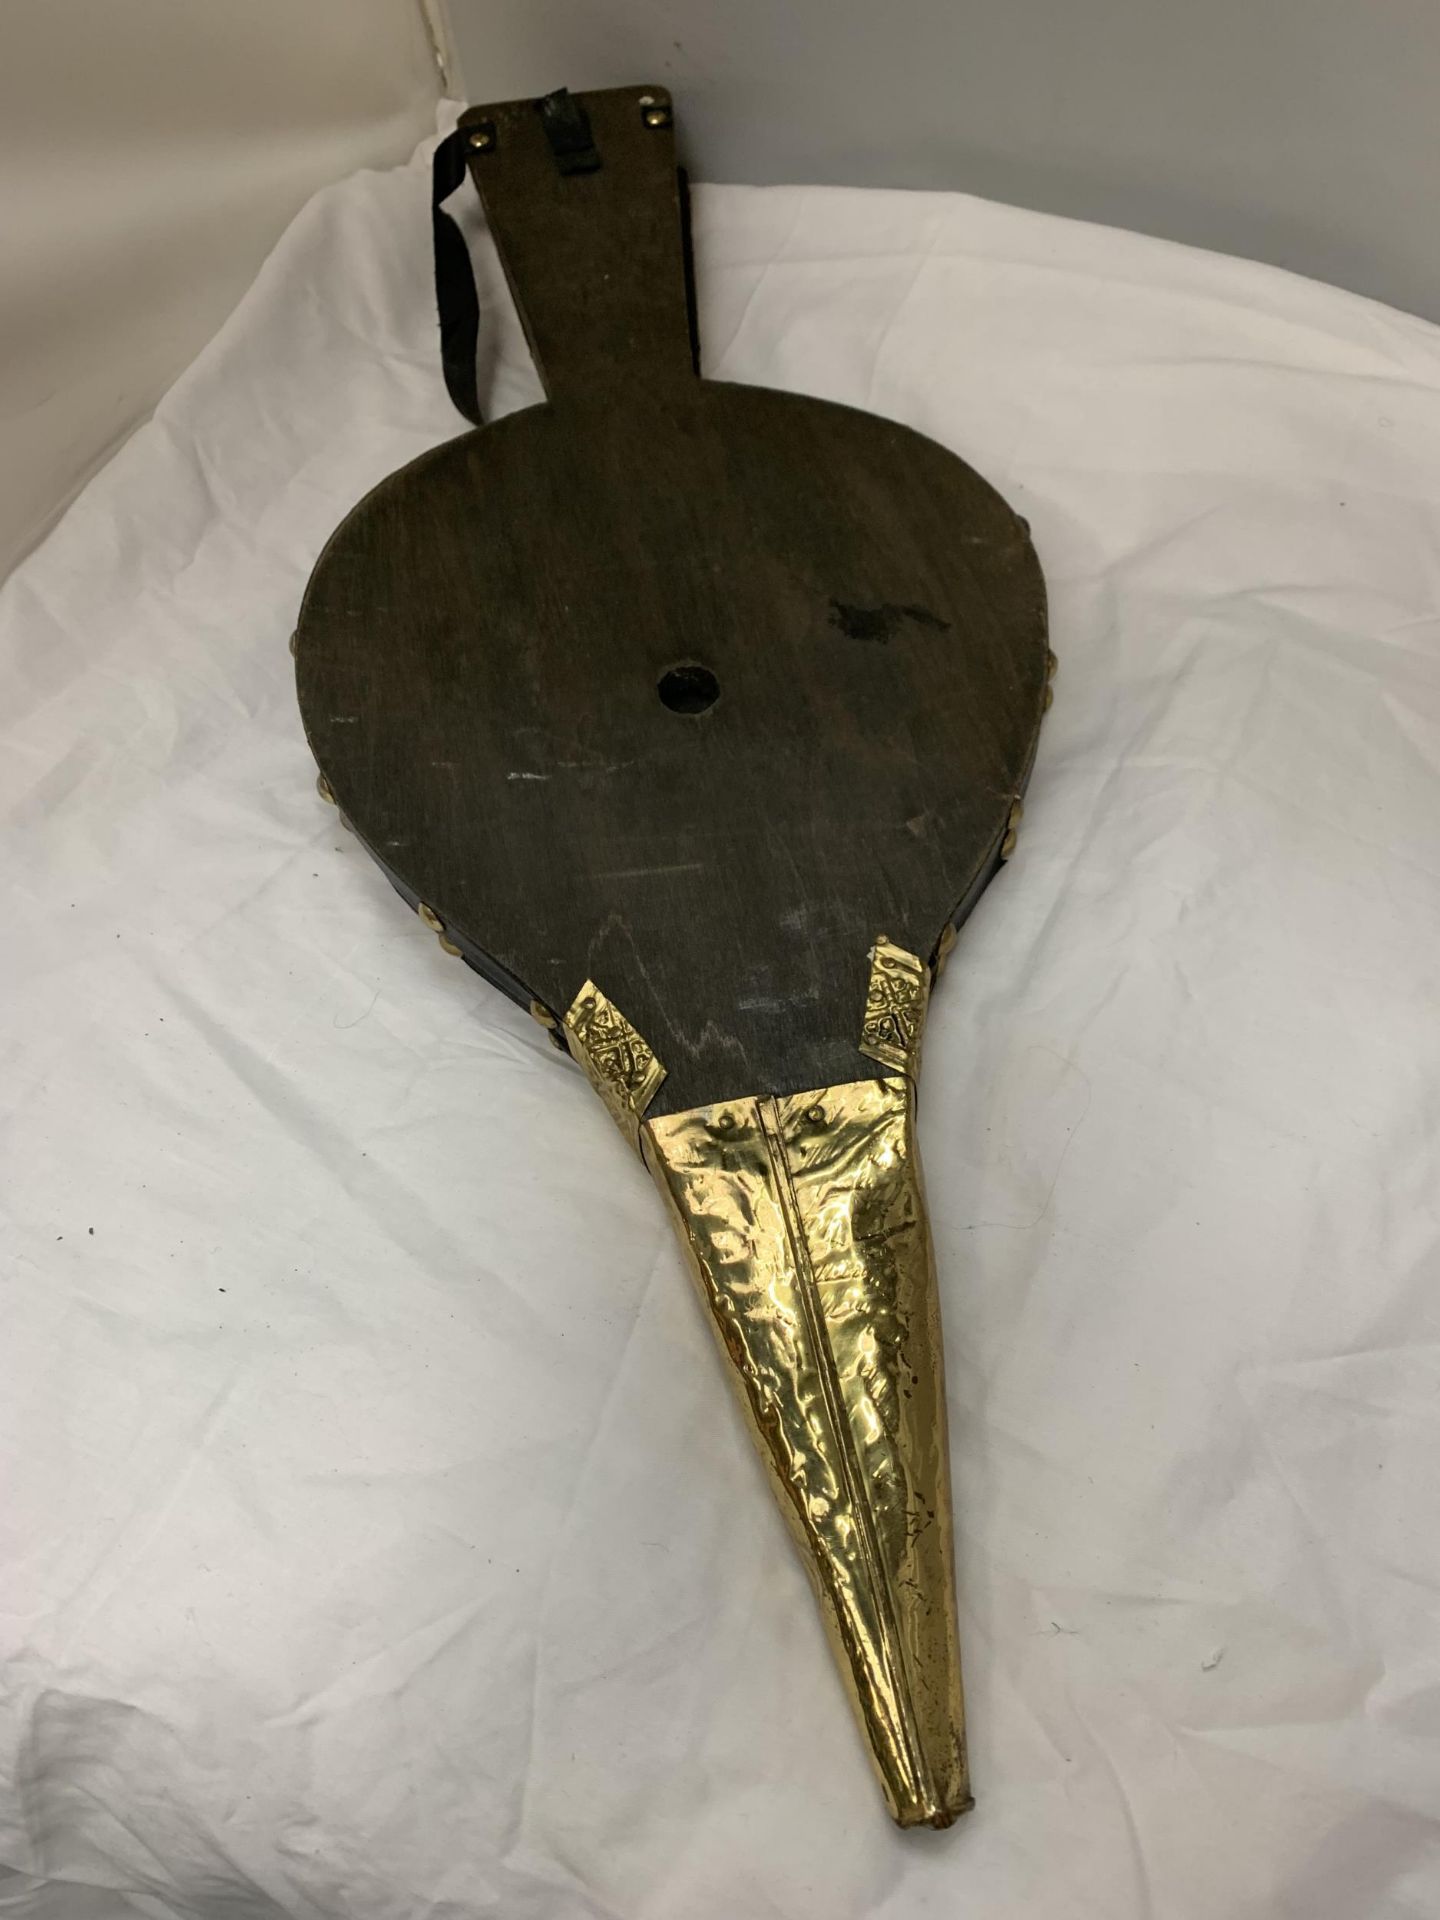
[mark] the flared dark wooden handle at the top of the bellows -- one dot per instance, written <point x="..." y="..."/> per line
<point x="583" y="197"/>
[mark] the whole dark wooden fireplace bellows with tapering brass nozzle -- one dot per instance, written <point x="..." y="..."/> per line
<point x="698" y="717"/>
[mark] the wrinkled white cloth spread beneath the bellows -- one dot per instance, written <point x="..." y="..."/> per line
<point x="379" y="1537"/>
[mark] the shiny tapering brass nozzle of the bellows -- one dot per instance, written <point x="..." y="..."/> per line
<point x="805" y="1226"/>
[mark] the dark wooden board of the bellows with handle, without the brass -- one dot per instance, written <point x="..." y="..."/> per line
<point x="483" y="648"/>
